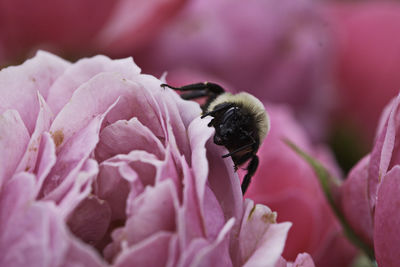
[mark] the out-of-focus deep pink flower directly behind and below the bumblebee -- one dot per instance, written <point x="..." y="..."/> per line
<point x="287" y="184"/>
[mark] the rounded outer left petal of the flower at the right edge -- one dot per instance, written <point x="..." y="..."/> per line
<point x="355" y="201"/>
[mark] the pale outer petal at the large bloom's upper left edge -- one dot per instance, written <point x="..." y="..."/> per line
<point x="20" y="85"/>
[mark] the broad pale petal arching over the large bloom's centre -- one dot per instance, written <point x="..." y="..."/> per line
<point x="127" y="98"/>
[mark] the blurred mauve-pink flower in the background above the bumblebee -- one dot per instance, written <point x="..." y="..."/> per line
<point x="277" y="50"/>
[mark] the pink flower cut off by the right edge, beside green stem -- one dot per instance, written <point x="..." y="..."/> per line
<point x="370" y="195"/>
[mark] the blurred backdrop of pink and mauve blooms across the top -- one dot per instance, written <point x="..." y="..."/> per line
<point x="333" y="64"/>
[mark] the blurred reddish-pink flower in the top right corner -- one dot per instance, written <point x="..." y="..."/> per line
<point x="367" y="40"/>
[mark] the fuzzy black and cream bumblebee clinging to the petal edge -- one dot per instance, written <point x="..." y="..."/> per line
<point x="240" y="121"/>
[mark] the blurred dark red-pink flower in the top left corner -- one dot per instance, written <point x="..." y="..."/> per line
<point x="78" y="27"/>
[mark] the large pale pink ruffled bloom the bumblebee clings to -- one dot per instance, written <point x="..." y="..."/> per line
<point x="99" y="166"/>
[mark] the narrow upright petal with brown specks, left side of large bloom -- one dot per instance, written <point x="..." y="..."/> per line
<point x="45" y="116"/>
